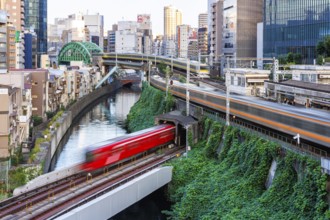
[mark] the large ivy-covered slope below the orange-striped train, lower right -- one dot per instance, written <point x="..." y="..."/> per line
<point x="231" y="184"/>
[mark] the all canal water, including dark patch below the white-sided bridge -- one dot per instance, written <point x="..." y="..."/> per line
<point x="104" y="121"/>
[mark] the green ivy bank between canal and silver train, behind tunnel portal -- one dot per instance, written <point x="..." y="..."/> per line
<point x="151" y="103"/>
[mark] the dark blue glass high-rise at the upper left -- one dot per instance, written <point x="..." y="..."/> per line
<point x="36" y="19"/>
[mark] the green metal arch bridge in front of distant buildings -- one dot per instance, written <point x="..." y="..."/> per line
<point x="78" y="51"/>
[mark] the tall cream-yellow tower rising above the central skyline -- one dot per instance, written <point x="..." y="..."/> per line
<point x="172" y="18"/>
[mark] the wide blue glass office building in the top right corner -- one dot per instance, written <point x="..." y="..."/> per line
<point x="295" y="26"/>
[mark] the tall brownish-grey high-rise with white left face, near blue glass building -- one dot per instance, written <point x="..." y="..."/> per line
<point x="240" y="27"/>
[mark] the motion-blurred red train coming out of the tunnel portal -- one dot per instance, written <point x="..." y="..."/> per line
<point x="111" y="151"/>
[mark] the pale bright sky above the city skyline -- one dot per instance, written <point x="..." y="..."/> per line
<point x="114" y="11"/>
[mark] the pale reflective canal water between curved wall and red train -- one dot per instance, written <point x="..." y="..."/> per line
<point x="103" y="121"/>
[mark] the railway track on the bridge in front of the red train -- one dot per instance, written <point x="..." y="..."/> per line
<point x="66" y="194"/>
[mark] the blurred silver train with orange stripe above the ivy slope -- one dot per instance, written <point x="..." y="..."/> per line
<point x="313" y="129"/>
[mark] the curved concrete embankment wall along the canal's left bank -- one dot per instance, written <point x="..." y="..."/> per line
<point x="69" y="116"/>
